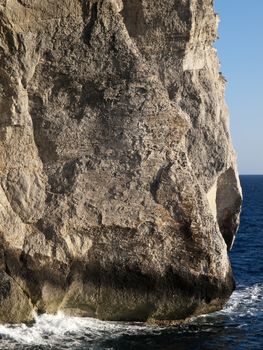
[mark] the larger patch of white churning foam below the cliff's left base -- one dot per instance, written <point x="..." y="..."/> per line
<point x="52" y="329"/>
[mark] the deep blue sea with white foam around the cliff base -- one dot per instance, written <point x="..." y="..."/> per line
<point x="238" y="326"/>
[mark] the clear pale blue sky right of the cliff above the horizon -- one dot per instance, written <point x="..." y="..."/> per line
<point x="240" y="48"/>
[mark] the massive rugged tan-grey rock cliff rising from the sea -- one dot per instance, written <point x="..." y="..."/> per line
<point x="119" y="191"/>
